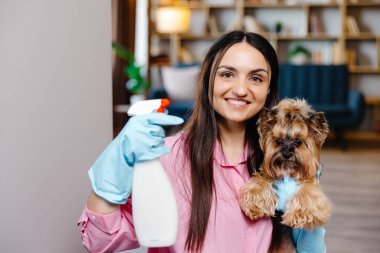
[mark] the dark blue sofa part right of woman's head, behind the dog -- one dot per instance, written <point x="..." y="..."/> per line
<point x="327" y="89"/>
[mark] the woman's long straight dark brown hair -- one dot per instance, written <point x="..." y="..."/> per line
<point x="202" y="130"/>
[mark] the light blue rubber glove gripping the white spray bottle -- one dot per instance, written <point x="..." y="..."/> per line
<point x="141" y="139"/>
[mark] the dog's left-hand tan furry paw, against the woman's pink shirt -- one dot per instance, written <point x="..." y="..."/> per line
<point x="257" y="199"/>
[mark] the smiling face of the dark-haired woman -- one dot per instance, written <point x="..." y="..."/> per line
<point x="241" y="84"/>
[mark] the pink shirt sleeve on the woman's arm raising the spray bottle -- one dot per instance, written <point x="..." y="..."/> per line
<point x="108" y="233"/>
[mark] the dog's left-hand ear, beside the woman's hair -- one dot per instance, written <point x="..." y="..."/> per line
<point x="265" y="124"/>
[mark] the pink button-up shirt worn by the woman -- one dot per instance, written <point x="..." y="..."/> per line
<point x="229" y="230"/>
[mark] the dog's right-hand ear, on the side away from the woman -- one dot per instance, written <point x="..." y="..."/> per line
<point x="318" y="127"/>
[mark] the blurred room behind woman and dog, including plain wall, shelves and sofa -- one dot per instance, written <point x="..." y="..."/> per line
<point x="70" y="69"/>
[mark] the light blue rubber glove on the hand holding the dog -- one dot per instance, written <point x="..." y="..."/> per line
<point x="307" y="241"/>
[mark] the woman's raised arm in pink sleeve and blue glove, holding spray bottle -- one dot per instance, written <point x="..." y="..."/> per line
<point x="107" y="219"/>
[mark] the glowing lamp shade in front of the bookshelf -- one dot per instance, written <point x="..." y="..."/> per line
<point x="173" y="19"/>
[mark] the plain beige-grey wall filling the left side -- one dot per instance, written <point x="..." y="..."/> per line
<point x="55" y="117"/>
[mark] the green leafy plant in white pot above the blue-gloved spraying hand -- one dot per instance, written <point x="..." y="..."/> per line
<point x="136" y="84"/>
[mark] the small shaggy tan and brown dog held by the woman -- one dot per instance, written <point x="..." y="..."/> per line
<point x="291" y="137"/>
